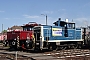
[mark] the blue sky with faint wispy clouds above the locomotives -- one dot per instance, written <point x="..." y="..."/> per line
<point x="19" y="12"/>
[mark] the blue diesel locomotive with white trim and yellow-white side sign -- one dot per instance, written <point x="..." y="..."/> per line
<point x="62" y="35"/>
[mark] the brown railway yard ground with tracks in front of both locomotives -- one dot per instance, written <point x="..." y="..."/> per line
<point x="68" y="54"/>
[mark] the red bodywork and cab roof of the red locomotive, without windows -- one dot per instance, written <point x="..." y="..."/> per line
<point x="22" y="34"/>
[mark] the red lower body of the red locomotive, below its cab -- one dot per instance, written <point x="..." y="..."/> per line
<point x="22" y="35"/>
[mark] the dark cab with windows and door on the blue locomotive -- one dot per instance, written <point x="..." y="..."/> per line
<point x="65" y="25"/>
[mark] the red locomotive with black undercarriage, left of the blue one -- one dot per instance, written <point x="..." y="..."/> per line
<point x="22" y="39"/>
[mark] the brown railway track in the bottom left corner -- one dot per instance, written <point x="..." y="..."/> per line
<point x="6" y="55"/>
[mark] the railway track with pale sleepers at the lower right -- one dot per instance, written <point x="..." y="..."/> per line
<point x="71" y="54"/>
